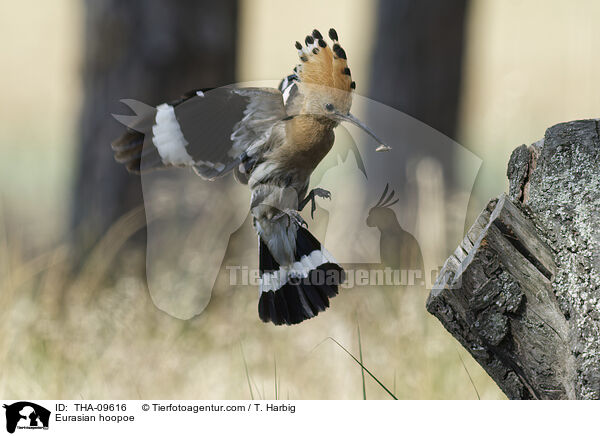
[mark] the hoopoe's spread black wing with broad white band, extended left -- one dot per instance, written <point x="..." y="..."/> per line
<point x="206" y="130"/>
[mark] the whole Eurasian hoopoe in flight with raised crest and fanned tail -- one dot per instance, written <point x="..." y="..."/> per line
<point x="272" y="139"/>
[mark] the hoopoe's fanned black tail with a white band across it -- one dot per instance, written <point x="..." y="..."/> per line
<point x="290" y="294"/>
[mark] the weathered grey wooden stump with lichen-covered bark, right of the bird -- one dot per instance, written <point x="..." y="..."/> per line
<point x="522" y="291"/>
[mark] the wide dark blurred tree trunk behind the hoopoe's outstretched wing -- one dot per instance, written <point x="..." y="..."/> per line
<point x="152" y="51"/>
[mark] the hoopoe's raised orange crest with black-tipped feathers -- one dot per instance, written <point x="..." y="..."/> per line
<point x="325" y="68"/>
